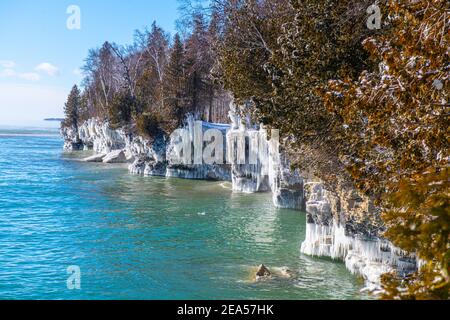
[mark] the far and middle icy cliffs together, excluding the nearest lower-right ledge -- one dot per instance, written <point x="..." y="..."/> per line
<point x="153" y="158"/>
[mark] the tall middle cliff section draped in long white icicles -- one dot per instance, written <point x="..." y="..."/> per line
<point x="271" y="170"/>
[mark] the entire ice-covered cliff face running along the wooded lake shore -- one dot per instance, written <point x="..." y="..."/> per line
<point x="326" y="232"/>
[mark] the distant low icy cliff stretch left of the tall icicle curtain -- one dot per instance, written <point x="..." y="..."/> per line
<point x="146" y="157"/>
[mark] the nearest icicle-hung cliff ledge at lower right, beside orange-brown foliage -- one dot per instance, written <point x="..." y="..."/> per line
<point x="331" y="231"/>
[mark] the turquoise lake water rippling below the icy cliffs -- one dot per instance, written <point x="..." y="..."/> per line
<point x="144" y="237"/>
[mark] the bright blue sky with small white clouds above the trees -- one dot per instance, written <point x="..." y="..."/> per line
<point x="40" y="56"/>
